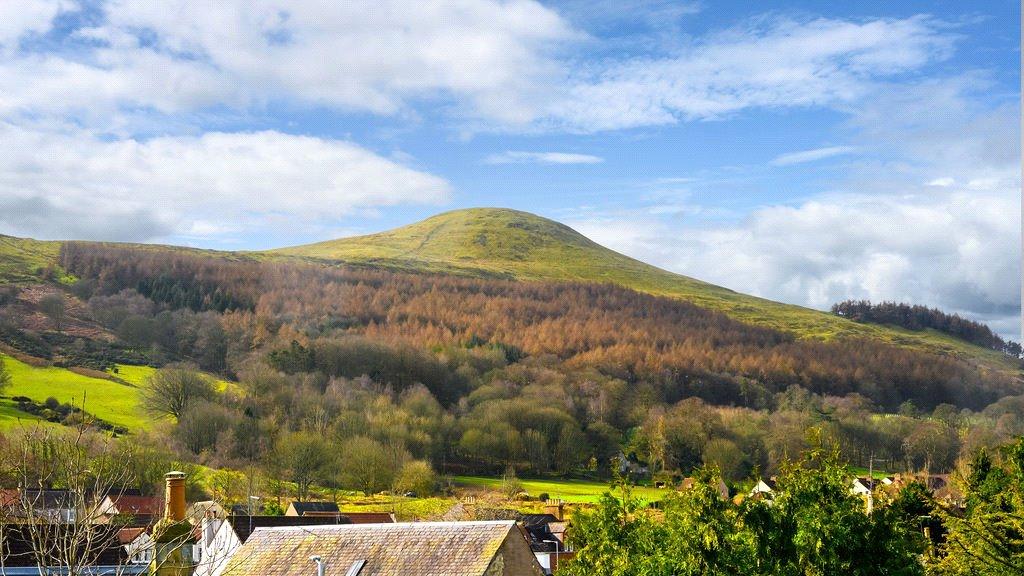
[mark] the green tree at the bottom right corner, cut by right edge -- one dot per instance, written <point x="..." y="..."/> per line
<point x="989" y="539"/>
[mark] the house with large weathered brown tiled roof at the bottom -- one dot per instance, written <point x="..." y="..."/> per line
<point x="425" y="549"/>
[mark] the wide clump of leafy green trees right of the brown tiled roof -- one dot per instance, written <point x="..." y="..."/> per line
<point x="815" y="527"/>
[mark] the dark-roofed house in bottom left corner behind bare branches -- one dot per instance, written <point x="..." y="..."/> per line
<point x="105" y="556"/>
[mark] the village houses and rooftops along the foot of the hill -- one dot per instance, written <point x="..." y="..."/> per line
<point x="123" y="533"/>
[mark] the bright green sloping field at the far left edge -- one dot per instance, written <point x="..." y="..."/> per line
<point x="111" y="401"/>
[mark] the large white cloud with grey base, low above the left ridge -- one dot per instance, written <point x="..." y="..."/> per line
<point x="73" y="185"/>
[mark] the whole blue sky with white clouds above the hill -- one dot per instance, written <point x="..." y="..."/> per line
<point x="805" y="152"/>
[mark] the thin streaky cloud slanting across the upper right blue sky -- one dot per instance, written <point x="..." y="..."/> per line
<point x="771" y="64"/>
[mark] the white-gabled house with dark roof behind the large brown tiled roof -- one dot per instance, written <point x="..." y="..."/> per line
<point x="219" y="539"/>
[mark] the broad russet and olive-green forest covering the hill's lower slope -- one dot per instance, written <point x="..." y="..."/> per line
<point x="461" y="376"/>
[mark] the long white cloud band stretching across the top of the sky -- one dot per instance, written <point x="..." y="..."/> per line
<point x="506" y="66"/>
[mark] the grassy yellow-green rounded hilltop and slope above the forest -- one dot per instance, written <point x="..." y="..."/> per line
<point x="505" y="243"/>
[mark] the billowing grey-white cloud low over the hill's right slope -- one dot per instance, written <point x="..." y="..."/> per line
<point x="959" y="252"/>
